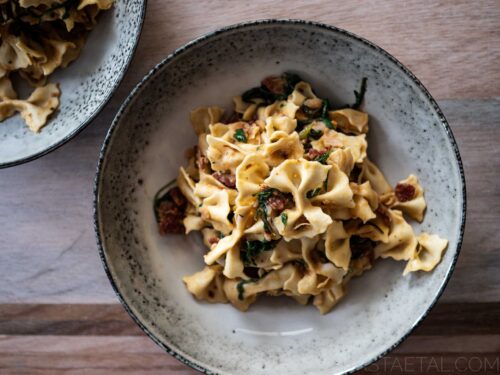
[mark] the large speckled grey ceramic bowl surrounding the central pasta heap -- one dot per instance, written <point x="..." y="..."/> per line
<point x="145" y="147"/>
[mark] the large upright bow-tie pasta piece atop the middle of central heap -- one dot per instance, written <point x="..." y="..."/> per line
<point x="299" y="177"/>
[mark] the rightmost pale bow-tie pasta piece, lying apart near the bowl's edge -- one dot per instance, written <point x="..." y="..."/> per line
<point x="428" y="255"/>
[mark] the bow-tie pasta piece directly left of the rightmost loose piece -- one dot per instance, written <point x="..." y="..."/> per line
<point x="401" y="244"/>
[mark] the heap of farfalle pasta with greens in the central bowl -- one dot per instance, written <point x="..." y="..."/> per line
<point x="288" y="202"/>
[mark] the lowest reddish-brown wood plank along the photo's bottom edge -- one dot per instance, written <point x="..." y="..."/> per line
<point x="138" y="355"/>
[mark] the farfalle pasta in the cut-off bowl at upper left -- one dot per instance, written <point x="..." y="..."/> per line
<point x="36" y="38"/>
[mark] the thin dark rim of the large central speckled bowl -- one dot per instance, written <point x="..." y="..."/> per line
<point x="239" y="26"/>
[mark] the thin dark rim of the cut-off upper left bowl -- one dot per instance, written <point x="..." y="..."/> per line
<point x="101" y="106"/>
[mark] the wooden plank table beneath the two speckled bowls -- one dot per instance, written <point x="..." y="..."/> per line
<point x="58" y="313"/>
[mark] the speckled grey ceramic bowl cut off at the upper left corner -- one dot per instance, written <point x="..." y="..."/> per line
<point x="86" y="85"/>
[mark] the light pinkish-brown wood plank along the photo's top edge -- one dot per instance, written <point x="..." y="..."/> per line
<point x="452" y="46"/>
